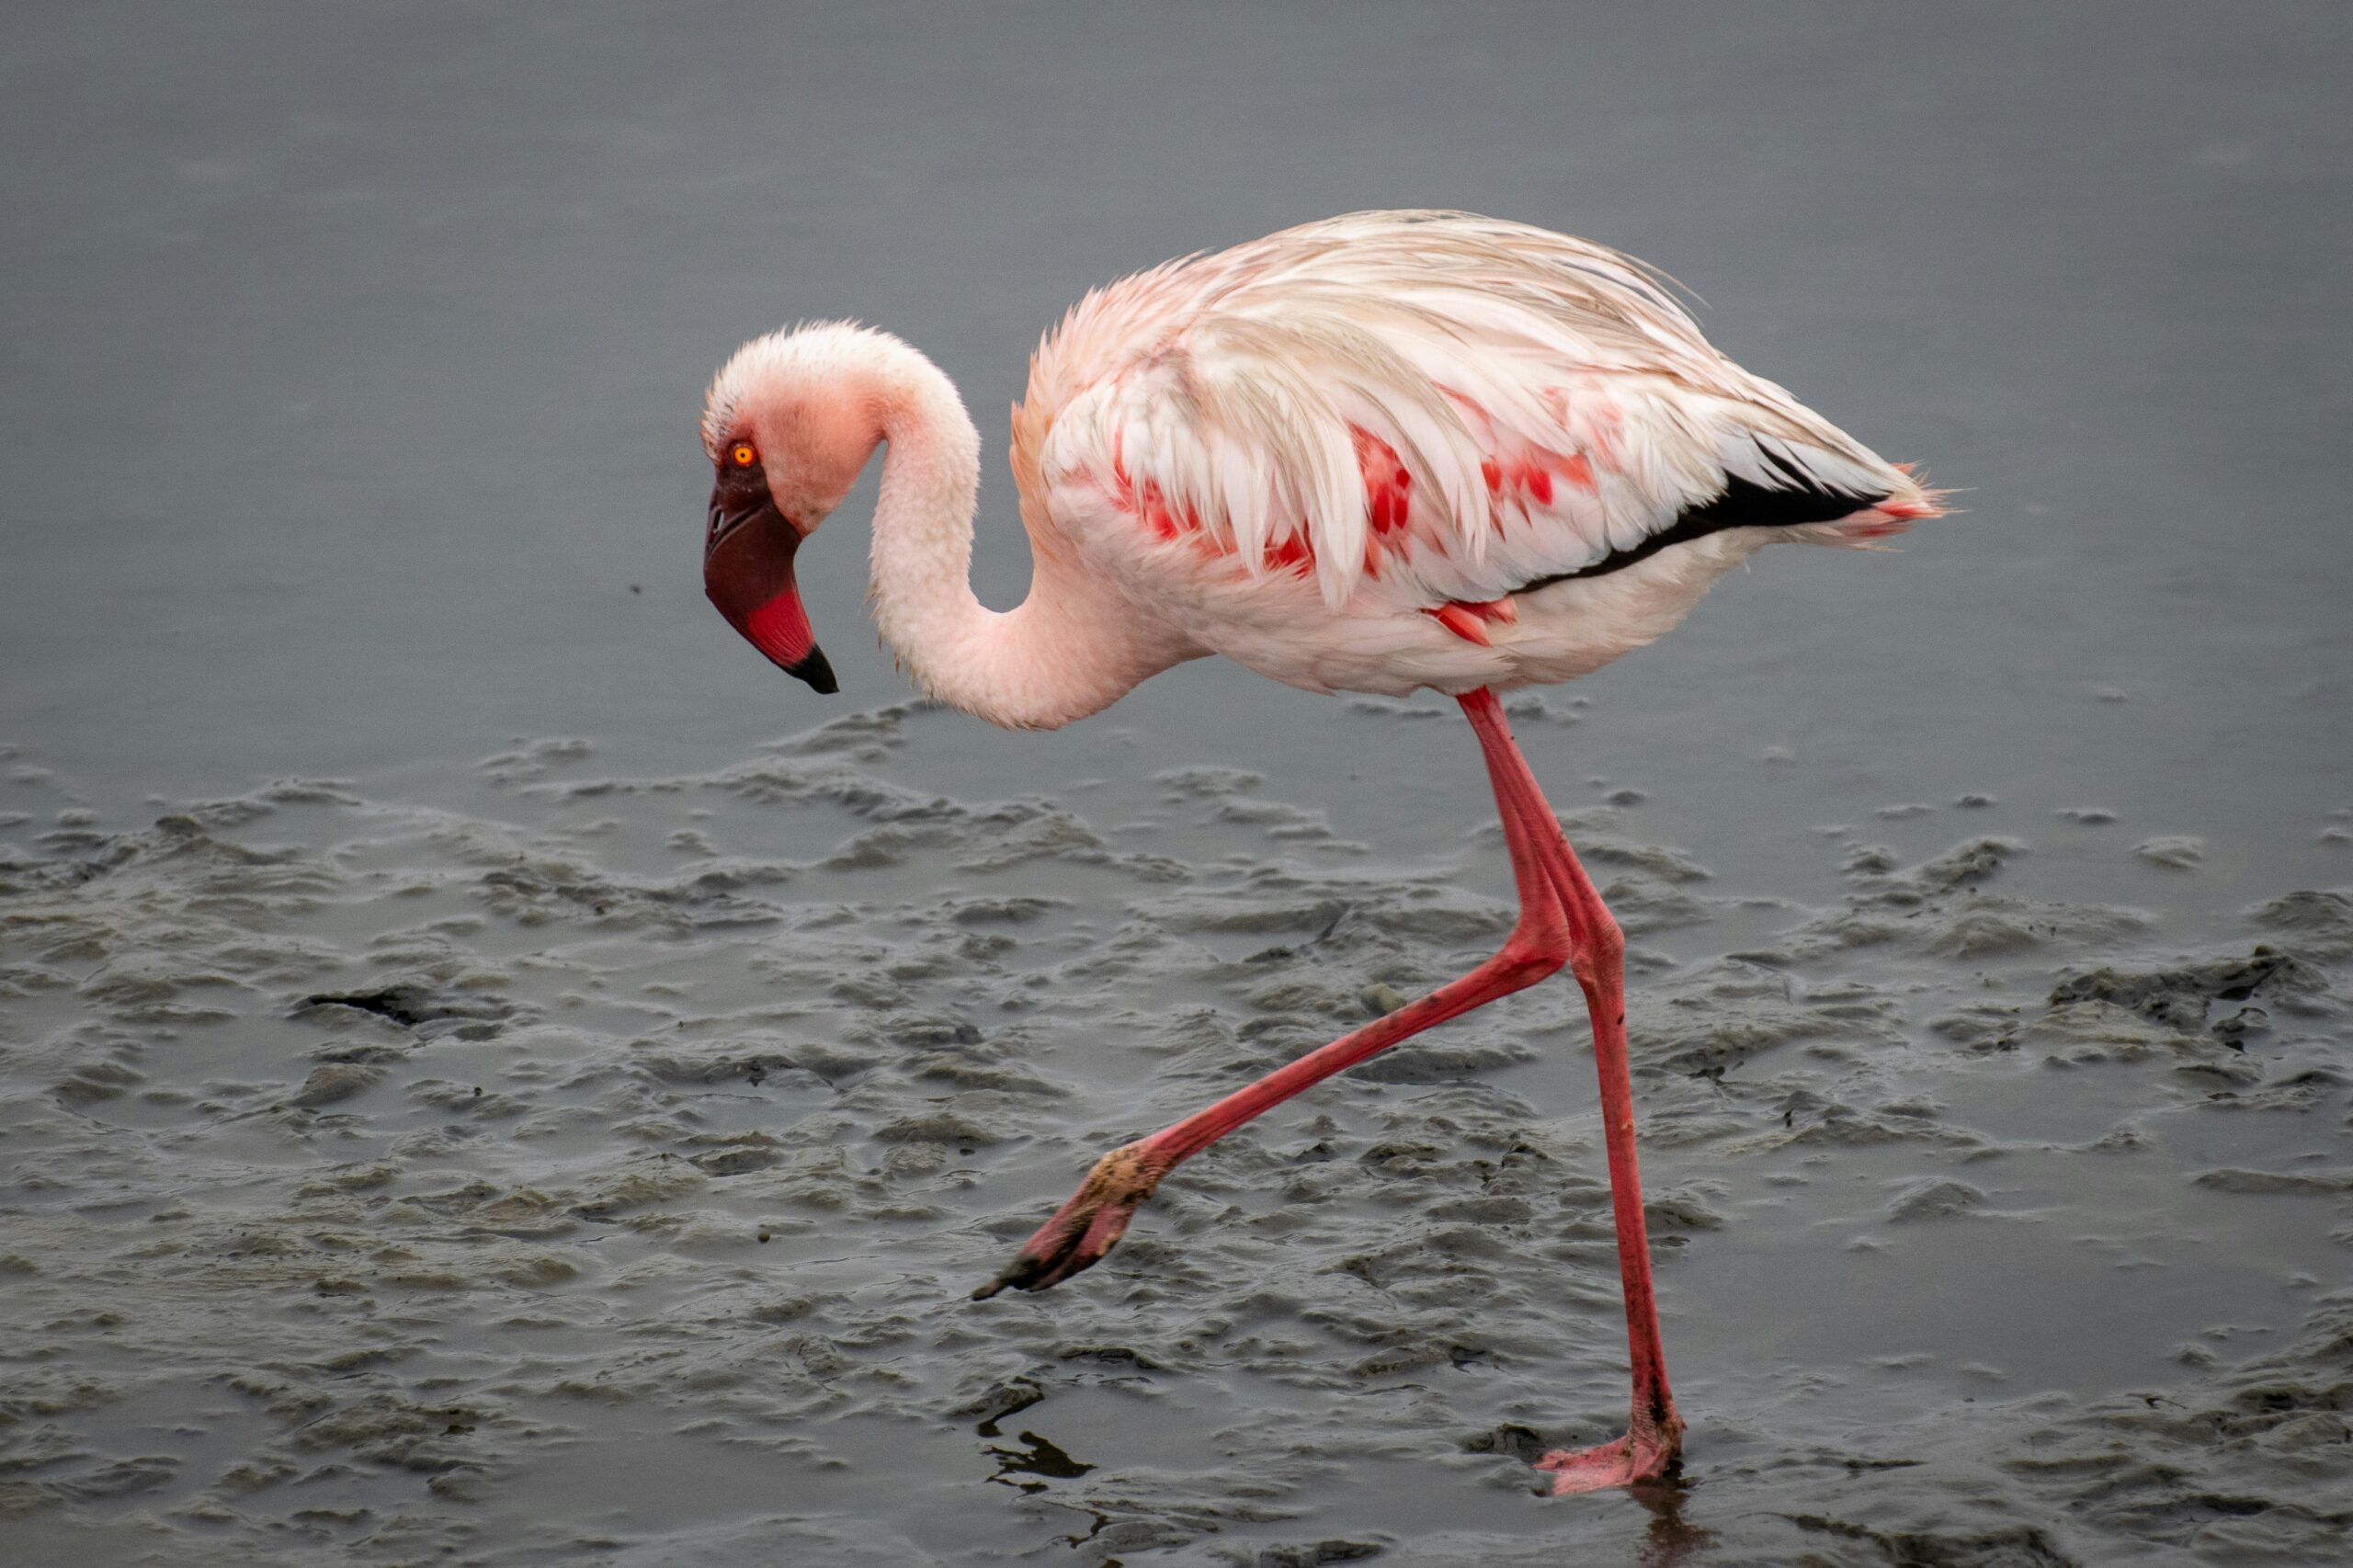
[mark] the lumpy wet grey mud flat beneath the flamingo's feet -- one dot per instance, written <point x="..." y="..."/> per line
<point x="596" y="1169"/>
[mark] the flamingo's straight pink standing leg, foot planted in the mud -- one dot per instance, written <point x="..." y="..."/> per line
<point x="1599" y="959"/>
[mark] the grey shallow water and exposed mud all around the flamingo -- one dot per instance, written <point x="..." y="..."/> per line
<point x="422" y="1143"/>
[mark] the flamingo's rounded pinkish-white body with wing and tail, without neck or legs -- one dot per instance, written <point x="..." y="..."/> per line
<point x="1307" y="449"/>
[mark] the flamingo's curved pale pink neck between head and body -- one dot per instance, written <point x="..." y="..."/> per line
<point x="1065" y="653"/>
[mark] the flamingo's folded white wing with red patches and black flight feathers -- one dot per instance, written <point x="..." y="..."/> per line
<point x="1437" y="408"/>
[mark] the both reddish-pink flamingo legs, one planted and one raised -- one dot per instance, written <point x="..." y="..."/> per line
<point x="1564" y="922"/>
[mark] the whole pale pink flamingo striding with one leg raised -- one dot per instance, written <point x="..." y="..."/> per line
<point x="1378" y="453"/>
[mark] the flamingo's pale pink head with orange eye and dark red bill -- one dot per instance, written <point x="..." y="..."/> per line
<point x="787" y="430"/>
